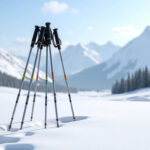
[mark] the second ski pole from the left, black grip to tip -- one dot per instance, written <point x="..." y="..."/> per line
<point x="40" y="46"/>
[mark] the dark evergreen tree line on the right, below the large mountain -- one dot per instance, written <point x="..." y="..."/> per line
<point x="139" y="79"/>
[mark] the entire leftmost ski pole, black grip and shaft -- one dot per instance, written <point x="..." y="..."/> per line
<point x="24" y="74"/>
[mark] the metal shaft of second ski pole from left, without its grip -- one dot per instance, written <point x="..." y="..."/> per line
<point x="30" y="84"/>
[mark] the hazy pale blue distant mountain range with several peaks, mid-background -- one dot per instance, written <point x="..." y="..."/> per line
<point x="78" y="57"/>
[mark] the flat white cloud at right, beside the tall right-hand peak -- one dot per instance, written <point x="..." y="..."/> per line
<point x="126" y="31"/>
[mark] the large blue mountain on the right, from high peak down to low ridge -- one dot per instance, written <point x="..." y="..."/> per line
<point x="134" y="55"/>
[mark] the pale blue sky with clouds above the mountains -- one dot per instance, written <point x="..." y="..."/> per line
<point x="78" y="21"/>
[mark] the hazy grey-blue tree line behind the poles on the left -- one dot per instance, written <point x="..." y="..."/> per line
<point x="9" y="81"/>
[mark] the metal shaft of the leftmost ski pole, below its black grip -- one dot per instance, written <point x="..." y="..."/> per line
<point x="18" y="96"/>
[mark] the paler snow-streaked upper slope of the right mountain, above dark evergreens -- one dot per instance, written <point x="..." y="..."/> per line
<point x="136" y="53"/>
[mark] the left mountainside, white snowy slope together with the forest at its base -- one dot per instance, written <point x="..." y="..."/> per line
<point x="11" y="71"/>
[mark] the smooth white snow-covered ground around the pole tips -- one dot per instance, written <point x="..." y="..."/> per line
<point x="106" y="122"/>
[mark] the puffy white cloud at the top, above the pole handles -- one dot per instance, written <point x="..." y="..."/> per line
<point x="54" y="7"/>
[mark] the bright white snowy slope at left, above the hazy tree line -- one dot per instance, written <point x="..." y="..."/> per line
<point x="13" y="66"/>
